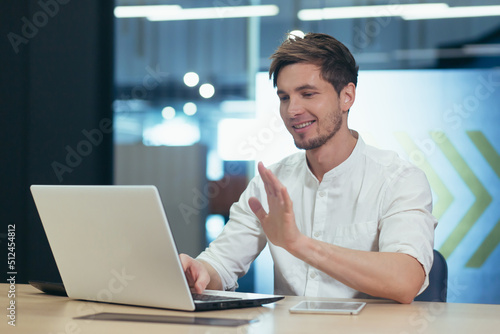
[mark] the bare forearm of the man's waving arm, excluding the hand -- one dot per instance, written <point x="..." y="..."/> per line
<point x="388" y="275"/>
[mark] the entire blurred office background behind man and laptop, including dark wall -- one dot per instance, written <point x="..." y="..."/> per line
<point x="186" y="88"/>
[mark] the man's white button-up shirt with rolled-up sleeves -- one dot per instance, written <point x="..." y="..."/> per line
<point x="373" y="201"/>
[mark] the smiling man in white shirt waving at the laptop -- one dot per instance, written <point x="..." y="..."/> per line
<point x="342" y="219"/>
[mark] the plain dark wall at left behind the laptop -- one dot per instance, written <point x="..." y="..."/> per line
<point x="56" y="85"/>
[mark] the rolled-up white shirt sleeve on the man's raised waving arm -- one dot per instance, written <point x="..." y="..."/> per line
<point x="407" y="225"/>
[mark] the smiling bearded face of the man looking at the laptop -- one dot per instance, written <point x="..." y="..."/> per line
<point x="309" y="105"/>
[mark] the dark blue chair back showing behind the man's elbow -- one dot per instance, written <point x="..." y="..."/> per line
<point x="438" y="281"/>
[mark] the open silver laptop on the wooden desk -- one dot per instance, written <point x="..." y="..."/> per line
<point x="113" y="244"/>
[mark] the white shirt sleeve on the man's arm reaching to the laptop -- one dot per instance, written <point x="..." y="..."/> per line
<point x="240" y="242"/>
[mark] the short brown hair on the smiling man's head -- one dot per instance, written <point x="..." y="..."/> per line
<point x="337" y="64"/>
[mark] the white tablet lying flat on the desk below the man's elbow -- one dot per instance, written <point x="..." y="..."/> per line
<point x="326" y="307"/>
